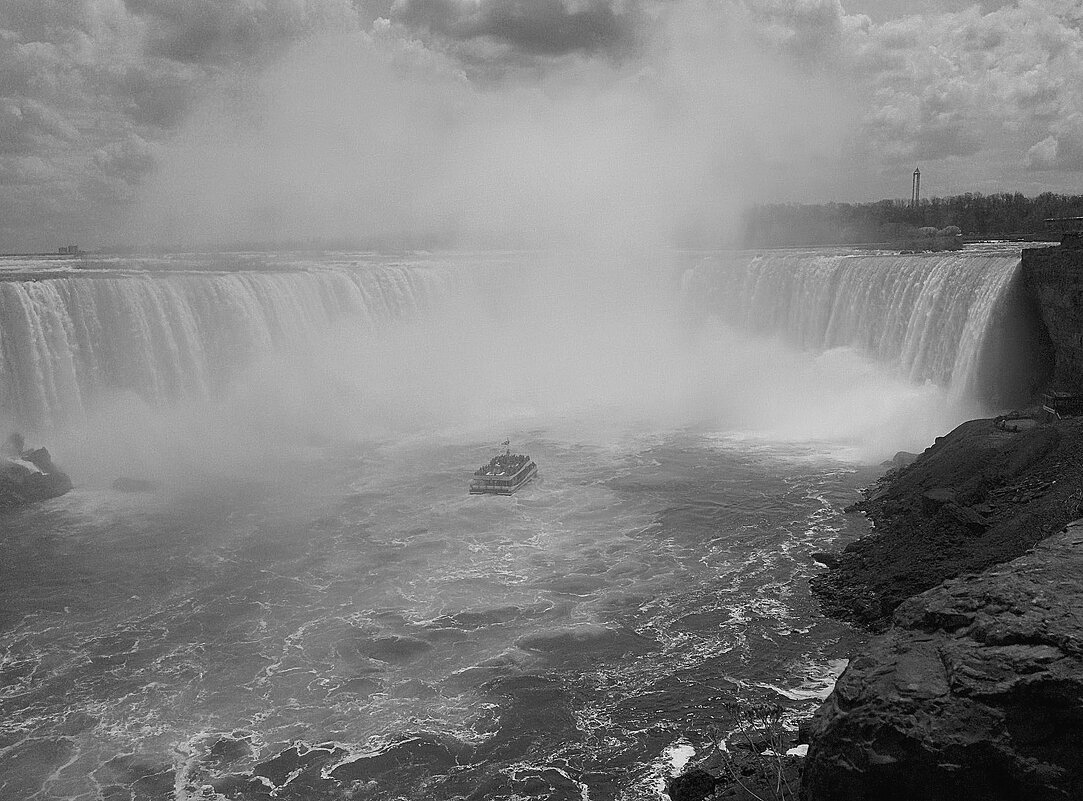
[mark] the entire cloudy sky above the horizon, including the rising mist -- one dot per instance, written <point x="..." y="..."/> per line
<point x="193" y="123"/>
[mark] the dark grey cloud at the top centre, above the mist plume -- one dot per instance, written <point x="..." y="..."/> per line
<point x="538" y="28"/>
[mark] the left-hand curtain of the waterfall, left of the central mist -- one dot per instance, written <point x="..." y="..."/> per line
<point x="167" y="335"/>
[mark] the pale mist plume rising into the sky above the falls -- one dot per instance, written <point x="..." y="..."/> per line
<point x="370" y="135"/>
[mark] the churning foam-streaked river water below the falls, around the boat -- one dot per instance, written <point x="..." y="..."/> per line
<point x="346" y="618"/>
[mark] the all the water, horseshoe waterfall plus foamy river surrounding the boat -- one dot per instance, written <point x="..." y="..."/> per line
<point x="310" y="606"/>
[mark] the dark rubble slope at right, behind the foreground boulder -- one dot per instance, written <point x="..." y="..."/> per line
<point x="980" y="497"/>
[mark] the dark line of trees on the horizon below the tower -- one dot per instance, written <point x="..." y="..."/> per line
<point x="1004" y="215"/>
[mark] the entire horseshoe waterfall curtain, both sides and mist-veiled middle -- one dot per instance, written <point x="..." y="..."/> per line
<point x="181" y="329"/>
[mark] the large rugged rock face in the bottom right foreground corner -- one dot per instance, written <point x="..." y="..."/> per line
<point x="976" y="693"/>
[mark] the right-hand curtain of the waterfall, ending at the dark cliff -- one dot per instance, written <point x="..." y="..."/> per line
<point x="929" y="316"/>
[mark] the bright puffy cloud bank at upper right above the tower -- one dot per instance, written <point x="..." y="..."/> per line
<point x="972" y="91"/>
